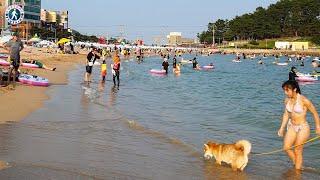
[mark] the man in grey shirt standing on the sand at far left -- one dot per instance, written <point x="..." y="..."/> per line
<point x="14" y="47"/>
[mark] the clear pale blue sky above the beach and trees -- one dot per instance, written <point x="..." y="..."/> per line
<point x="149" y="19"/>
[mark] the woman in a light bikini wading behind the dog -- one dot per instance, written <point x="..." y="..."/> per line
<point x="294" y="118"/>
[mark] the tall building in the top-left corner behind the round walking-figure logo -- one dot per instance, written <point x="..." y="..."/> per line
<point x="32" y="9"/>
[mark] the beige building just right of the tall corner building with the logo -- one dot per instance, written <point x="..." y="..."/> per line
<point x="55" y="18"/>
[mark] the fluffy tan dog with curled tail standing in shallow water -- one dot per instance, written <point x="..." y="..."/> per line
<point x="234" y="154"/>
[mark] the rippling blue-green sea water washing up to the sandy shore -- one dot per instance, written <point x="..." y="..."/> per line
<point x="154" y="127"/>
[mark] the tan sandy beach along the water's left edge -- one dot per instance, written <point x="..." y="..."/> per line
<point x="22" y="101"/>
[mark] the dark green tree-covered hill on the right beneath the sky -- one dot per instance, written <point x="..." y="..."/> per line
<point x="286" y="18"/>
